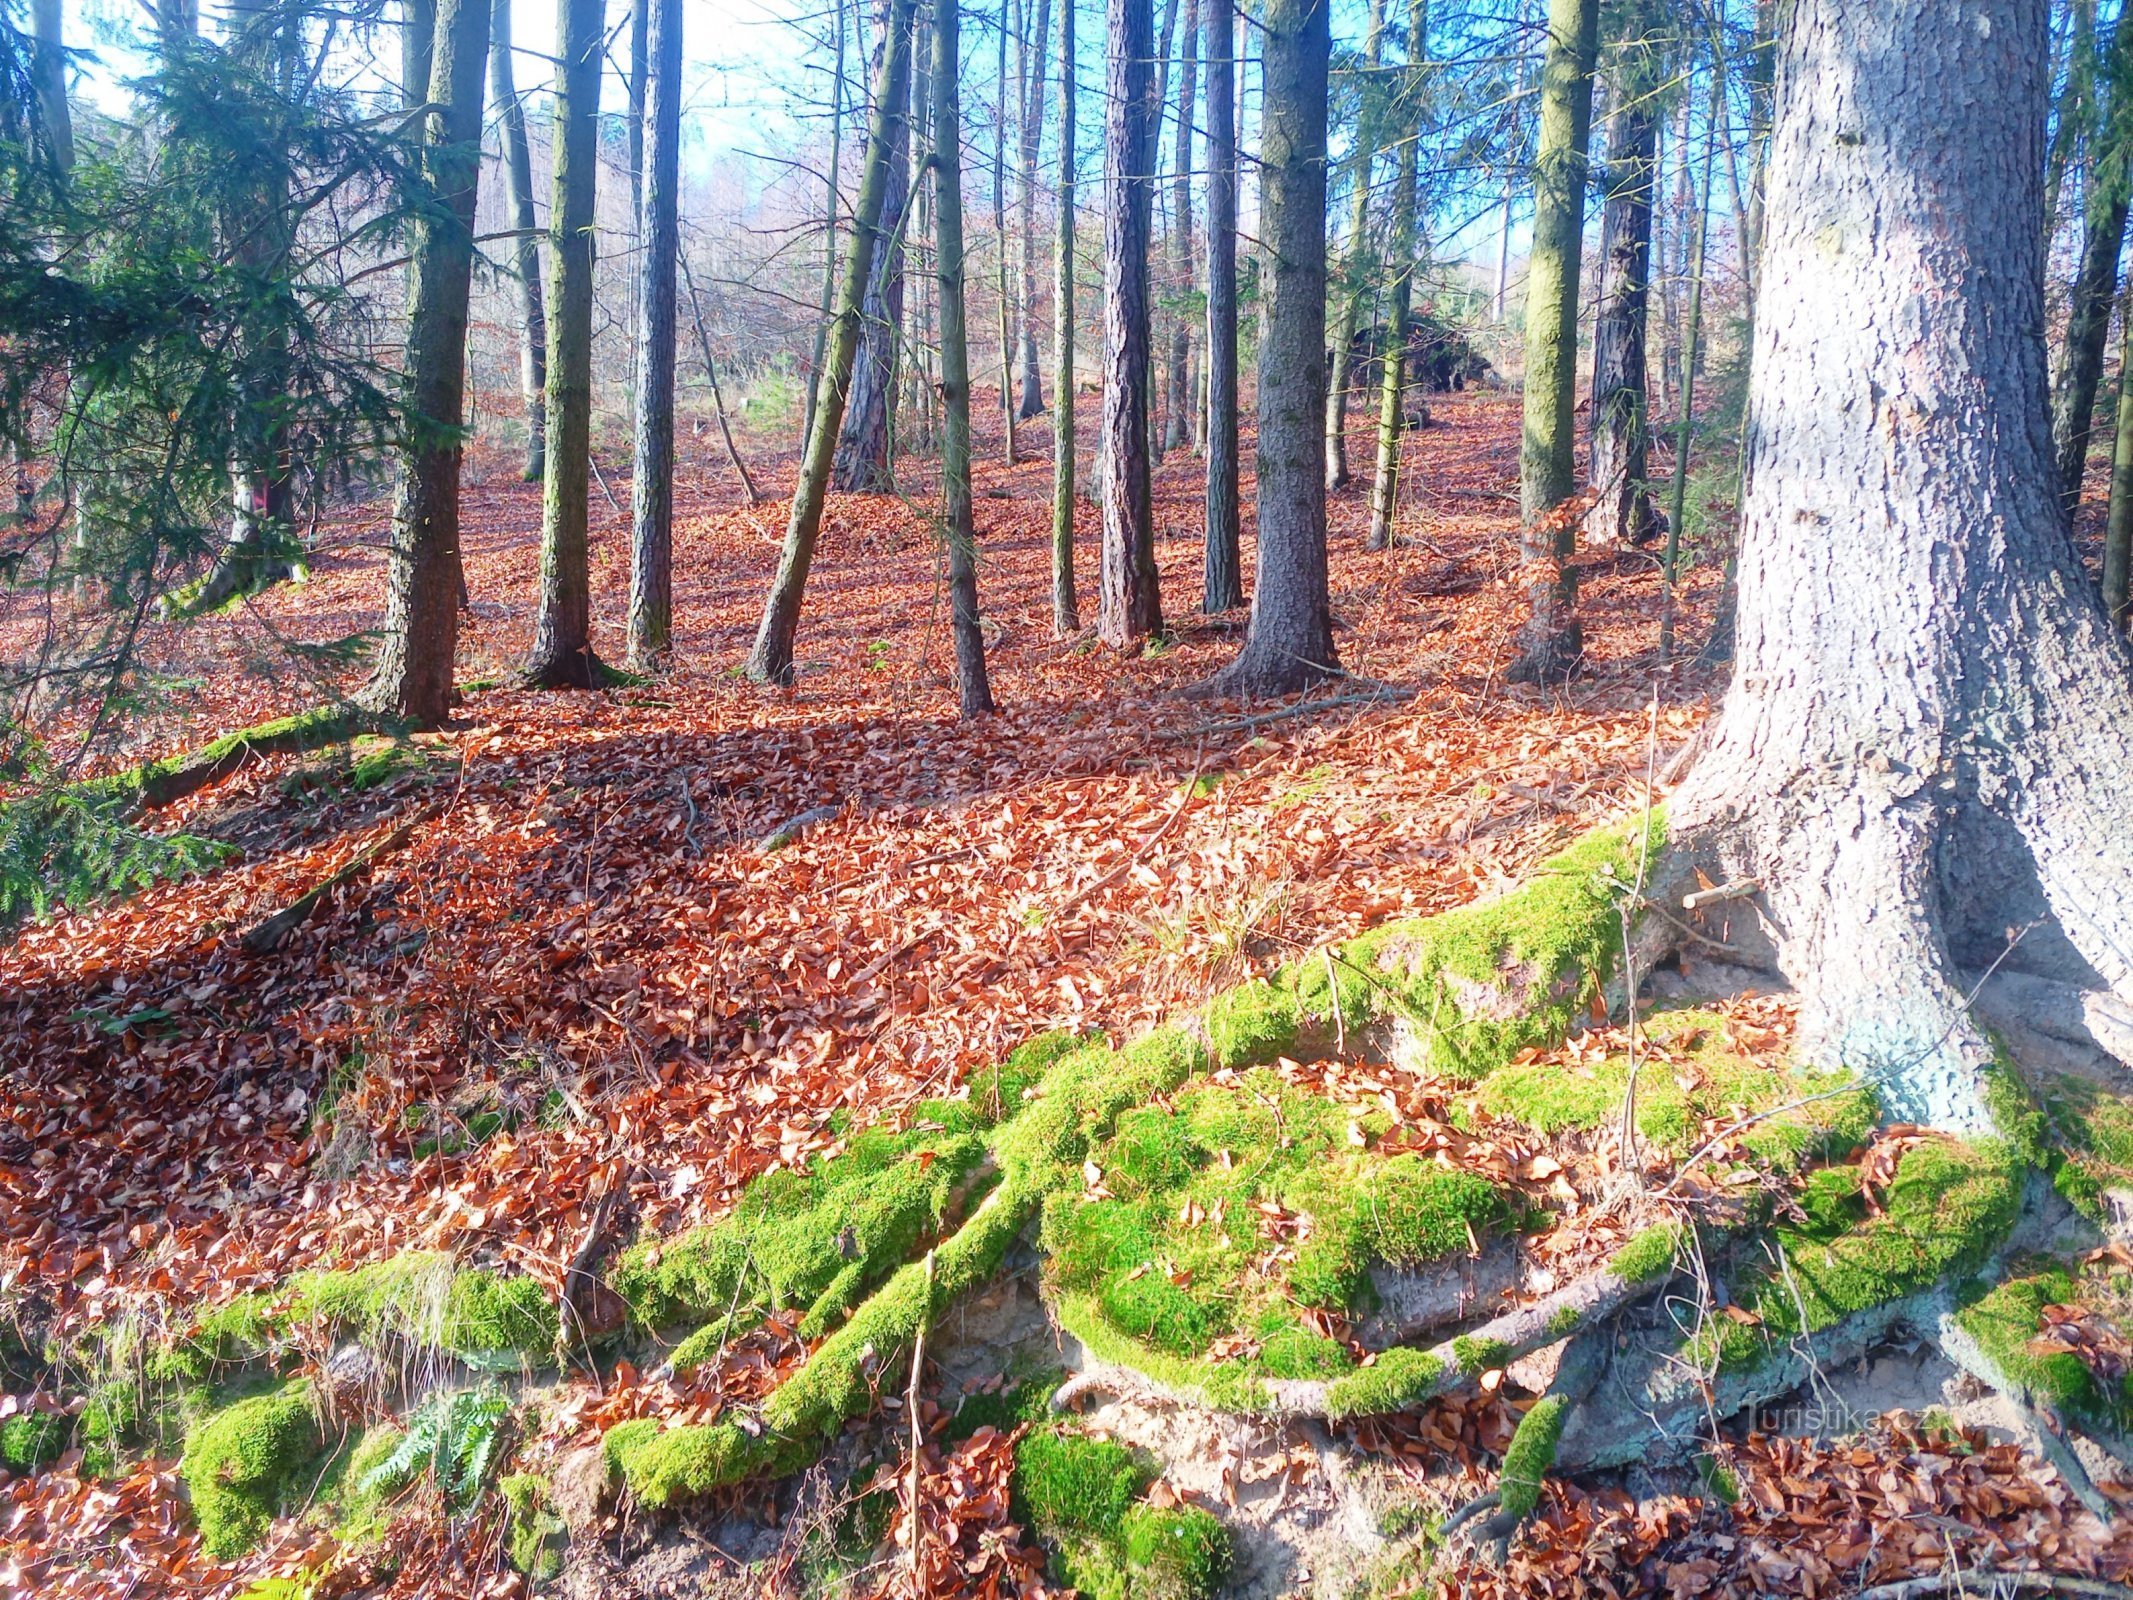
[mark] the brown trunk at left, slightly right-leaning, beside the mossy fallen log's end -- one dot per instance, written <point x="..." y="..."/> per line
<point x="423" y="575"/>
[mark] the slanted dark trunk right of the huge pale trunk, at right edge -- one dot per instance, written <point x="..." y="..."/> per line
<point x="2096" y="283"/>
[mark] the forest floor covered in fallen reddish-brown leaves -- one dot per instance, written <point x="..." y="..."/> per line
<point x="592" y="991"/>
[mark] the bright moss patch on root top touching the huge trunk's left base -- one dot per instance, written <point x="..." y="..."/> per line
<point x="1479" y="985"/>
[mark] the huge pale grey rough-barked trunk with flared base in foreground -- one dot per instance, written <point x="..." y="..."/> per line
<point x="1929" y="739"/>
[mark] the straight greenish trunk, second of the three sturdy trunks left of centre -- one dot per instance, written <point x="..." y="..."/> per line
<point x="564" y="628"/>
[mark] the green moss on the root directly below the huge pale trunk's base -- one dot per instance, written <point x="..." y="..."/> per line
<point x="1942" y="1215"/>
